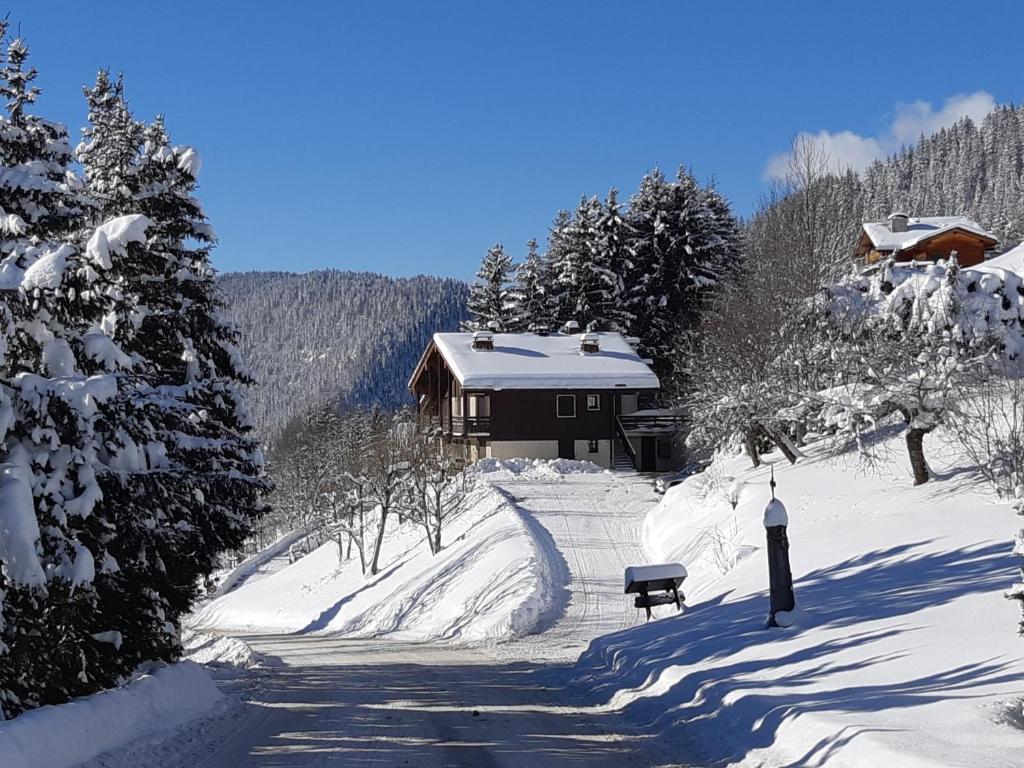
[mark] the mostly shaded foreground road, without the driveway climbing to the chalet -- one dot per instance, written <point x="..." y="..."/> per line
<point x="370" y="704"/>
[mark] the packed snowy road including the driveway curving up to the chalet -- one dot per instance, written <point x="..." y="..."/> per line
<point x="373" y="703"/>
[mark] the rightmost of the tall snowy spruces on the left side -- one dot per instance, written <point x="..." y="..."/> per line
<point x="194" y="359"/>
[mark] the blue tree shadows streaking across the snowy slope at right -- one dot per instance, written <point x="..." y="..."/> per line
<point x="879" y="586"/>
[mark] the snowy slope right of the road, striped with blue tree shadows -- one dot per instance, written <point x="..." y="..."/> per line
<point x="904" y="653"/>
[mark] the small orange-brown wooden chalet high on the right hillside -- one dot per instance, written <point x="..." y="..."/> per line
<point x="924" y="240"/>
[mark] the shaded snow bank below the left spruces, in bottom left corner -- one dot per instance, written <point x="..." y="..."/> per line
<point x="71" y="734"/>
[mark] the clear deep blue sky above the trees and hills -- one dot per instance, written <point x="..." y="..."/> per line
<point x="406" y="138"/>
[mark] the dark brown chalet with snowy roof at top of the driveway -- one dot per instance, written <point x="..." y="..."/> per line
<point x="568" y="396"/>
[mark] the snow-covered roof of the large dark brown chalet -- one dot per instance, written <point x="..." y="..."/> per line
<point x="531" y="362"/>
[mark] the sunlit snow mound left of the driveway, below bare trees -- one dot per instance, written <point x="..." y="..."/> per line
<point x="493" y="581"/>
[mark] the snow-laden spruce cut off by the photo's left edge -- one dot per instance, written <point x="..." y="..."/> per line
<point x="53" y="647"/>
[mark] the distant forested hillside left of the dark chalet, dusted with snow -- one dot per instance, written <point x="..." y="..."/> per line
<point x="333" y="336"/>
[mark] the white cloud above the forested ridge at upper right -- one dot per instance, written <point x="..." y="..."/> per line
<point x="849" y="150"/>
